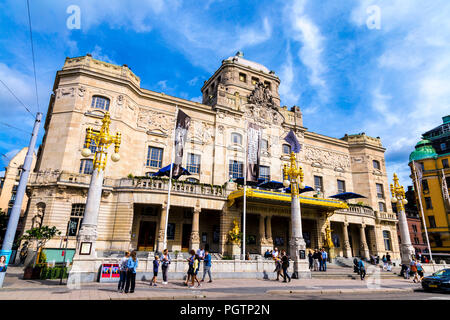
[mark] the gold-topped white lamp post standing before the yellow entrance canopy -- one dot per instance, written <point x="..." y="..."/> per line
<point x="292" y="174"/>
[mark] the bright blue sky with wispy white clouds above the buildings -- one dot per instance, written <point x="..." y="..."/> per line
<point x="392" y="82"/>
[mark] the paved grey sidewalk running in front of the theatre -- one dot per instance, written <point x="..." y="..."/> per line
<point x="16" y="288"/>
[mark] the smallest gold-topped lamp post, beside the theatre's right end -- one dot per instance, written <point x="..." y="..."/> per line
<point x="398" y="197"/>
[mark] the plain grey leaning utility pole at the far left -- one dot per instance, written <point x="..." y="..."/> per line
<point x="15" y="211"/>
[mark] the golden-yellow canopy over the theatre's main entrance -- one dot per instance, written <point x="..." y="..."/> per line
<point x="285" y="198"/>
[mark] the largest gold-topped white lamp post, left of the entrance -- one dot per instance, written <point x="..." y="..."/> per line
<point x="84" y="261"/>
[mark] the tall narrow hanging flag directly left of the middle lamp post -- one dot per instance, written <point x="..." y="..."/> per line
<point x="254" y="133"/>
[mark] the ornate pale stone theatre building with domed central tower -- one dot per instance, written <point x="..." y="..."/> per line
<point x="205" y="203"/>
